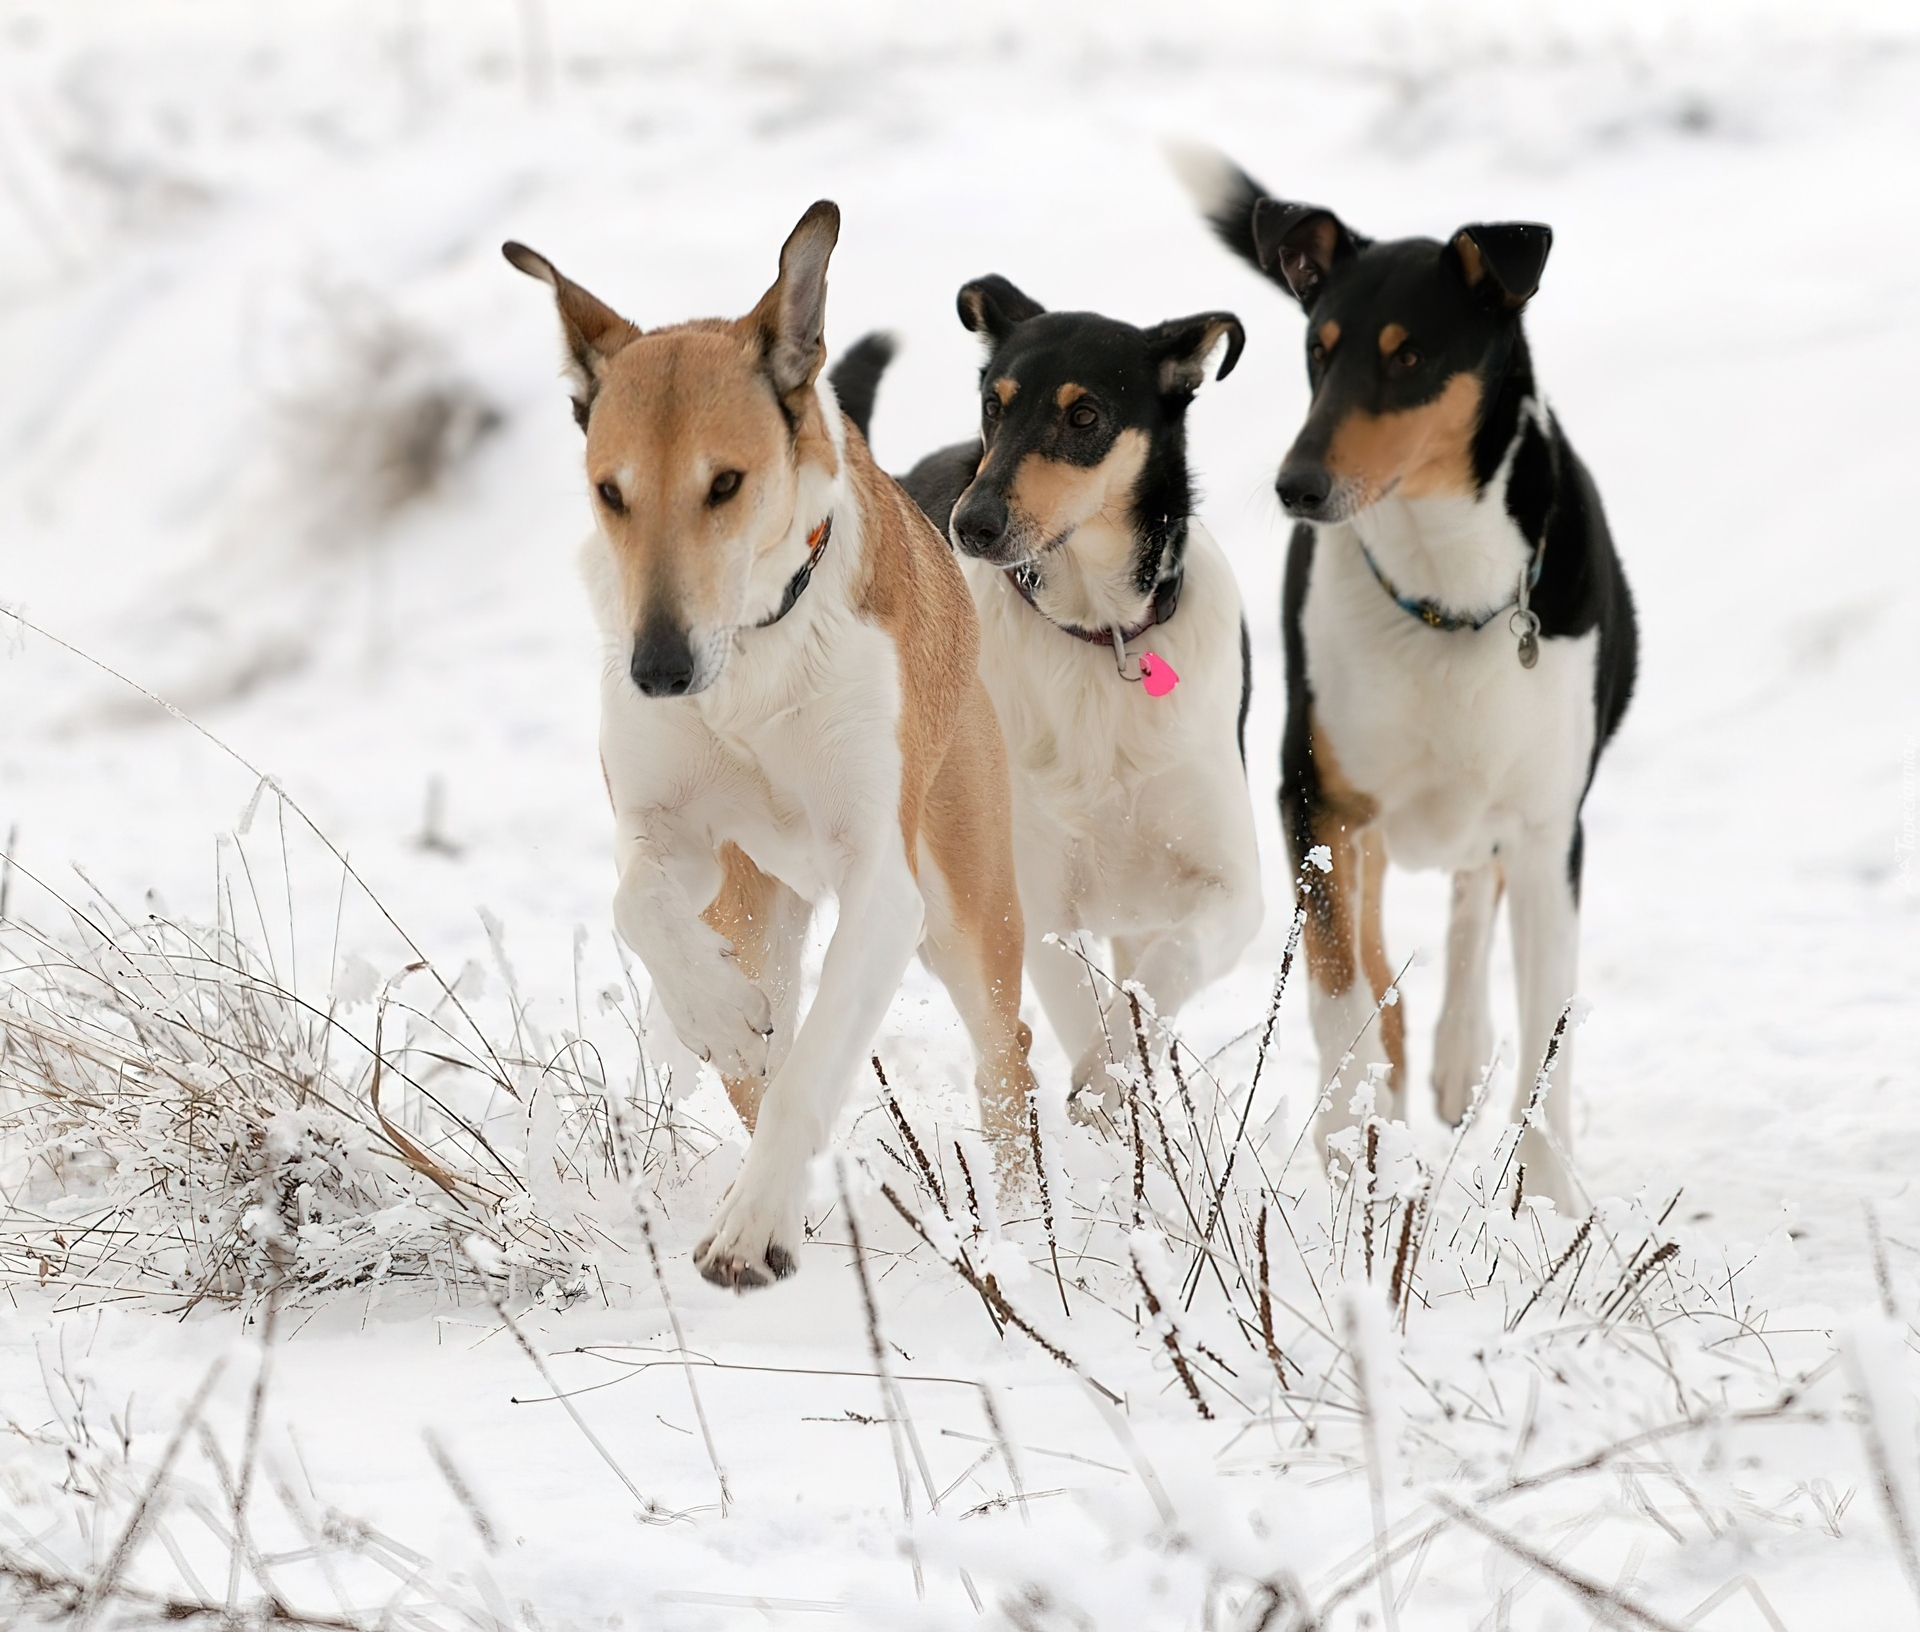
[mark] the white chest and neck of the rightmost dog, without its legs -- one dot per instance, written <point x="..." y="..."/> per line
<point x="1462" y="748"/>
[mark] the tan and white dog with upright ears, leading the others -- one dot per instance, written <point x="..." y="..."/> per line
<point x="790" y="708"/>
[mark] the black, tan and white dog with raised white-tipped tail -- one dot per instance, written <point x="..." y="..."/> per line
<point x="1460" y="638"/>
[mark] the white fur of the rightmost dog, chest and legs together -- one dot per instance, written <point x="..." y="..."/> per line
<point x="1477" y="765"/>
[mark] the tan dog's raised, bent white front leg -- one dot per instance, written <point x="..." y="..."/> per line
<point x="667" y="876"/>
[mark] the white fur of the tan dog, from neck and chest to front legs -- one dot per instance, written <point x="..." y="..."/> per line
<point x="794" y="756"/>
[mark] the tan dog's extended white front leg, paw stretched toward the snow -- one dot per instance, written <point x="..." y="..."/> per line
<point x="756" y="1237"/>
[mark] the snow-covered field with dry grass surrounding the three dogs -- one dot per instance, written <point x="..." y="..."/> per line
<point x="283" y="443"/>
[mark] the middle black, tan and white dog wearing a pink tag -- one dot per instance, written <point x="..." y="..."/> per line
<point x="1074" y="517"/>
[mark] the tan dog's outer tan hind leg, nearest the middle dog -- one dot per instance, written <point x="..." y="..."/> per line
<point x="974" y="926"/>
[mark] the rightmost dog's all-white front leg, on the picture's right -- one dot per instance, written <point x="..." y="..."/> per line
<point x="1547" y="951"/>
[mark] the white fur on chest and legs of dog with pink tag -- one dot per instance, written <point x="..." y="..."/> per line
<point x="1132" y="813"/>
